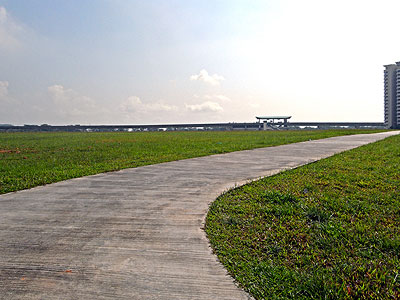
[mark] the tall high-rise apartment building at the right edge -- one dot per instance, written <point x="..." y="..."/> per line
<point x="392" y="95"/>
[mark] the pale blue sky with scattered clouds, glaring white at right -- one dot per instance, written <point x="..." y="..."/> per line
<point x="183" y="61"/>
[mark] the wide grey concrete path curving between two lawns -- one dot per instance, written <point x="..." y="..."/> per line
<point x="136" y="233"/>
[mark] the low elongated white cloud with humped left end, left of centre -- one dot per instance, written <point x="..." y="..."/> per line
<point x="134" y="105"/>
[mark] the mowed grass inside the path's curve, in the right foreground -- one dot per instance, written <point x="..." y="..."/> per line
<point x="327" y="230"/>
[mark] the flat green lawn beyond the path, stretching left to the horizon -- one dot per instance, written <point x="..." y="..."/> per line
<point x="32" y="159"/>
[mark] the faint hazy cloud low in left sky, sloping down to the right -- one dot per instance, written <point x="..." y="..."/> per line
<point x="70" y="103"/>
